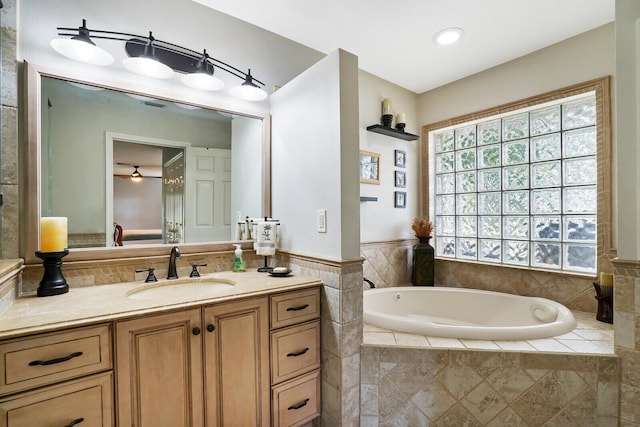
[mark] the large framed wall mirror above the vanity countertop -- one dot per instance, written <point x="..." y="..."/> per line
<point x="201" y="168"/>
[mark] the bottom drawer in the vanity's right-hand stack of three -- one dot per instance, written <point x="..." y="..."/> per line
<point x="297" y="402"/>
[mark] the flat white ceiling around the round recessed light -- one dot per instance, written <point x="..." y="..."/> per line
<point x="394" y="39"/>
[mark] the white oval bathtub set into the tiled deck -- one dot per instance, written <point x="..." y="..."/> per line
<point x="465" y="313"/>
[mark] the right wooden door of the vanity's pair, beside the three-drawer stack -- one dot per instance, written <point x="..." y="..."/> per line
<point x="237" y="363"/>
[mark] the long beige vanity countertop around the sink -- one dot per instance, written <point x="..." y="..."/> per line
<point x="86" y="305"/>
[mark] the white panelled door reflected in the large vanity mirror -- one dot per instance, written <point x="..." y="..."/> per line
<point x="208" y="194"/>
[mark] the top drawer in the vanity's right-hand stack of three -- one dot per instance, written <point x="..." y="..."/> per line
<point x="295" y="307"/>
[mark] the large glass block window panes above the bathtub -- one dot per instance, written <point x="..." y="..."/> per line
<point x="520" y="189"/>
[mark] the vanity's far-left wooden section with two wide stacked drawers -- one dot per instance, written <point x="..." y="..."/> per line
<point x="57" y="379"/>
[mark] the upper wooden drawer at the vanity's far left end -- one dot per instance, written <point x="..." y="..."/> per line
<point x="44" y="359"/>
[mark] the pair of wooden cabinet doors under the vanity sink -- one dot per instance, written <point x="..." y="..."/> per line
<point x="200" y="367"/>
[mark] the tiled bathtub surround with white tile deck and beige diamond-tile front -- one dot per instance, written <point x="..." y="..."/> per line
<point x="415" y="380"/>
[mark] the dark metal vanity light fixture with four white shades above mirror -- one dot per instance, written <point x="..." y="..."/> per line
<point x="155" y="58"/>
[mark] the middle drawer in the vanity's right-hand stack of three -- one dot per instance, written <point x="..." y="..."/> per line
<point x="294" y="351"/>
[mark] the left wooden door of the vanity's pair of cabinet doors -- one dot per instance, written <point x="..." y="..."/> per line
<point x="159" y="370"/>
